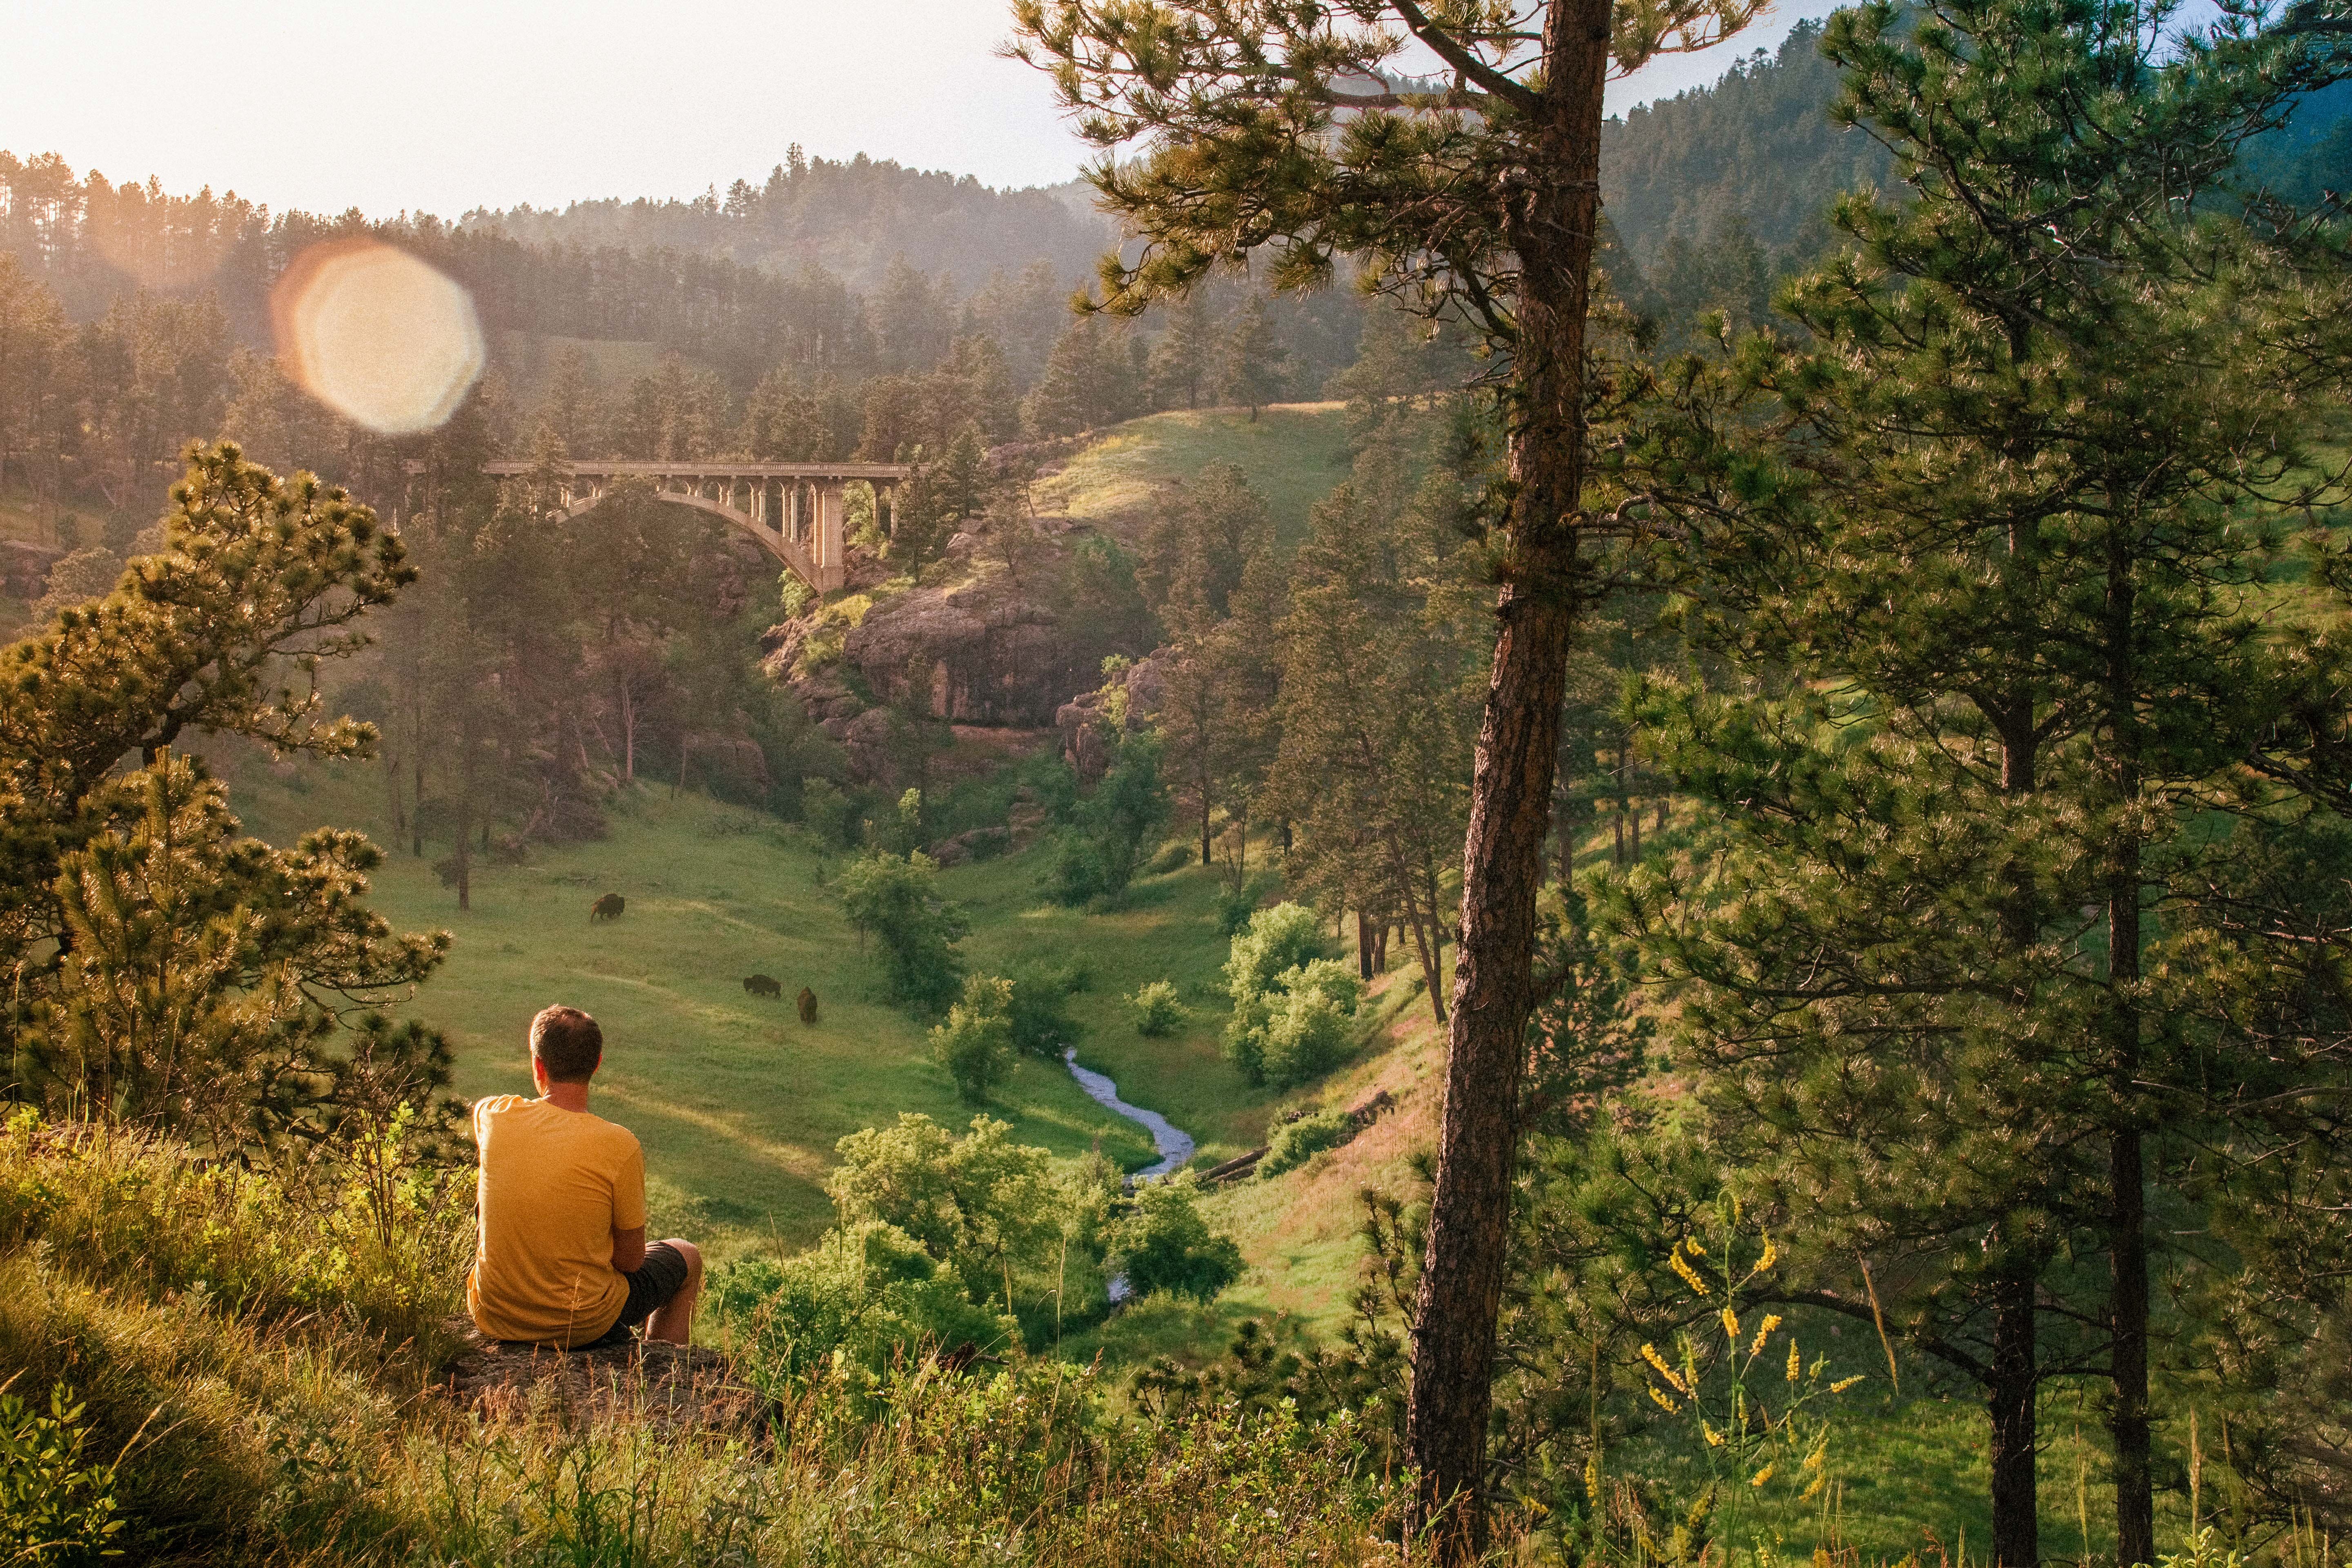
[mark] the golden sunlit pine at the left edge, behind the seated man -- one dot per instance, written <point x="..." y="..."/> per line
<point x="163" y="967"/>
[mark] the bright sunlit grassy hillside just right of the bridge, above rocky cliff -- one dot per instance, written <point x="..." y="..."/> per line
<point x="1292" y="455"/>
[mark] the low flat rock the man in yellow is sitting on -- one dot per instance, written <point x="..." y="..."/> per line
<point x="674" y="1388"/>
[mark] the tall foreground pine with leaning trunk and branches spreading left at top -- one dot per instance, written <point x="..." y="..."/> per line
<point x="1255" y="126"/>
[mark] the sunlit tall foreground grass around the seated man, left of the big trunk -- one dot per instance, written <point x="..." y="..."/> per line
<point x="260" y="1351"/>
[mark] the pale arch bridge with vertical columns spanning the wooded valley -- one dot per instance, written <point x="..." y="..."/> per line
<point x="791" y="509"/>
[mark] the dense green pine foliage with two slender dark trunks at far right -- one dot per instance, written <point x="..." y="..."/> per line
<point x="1996" y="549"/>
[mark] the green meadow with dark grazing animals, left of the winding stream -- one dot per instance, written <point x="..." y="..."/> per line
<point x="737" y="1104"/>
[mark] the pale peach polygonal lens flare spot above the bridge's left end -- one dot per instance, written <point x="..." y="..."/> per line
<point x="377" y="335"/>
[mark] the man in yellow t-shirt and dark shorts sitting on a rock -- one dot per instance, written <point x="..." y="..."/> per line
<point x="561" y="1252"/>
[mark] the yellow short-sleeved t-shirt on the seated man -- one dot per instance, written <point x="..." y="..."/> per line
<point x="556" y="1186"/>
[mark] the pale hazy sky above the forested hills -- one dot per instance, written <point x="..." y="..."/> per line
<point x="455" y="105"/>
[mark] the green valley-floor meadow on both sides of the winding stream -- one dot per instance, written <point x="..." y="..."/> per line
<point x="737" y="1104"/>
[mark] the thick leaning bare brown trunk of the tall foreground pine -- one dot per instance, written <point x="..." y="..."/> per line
<point x="1511" y="798"/>
